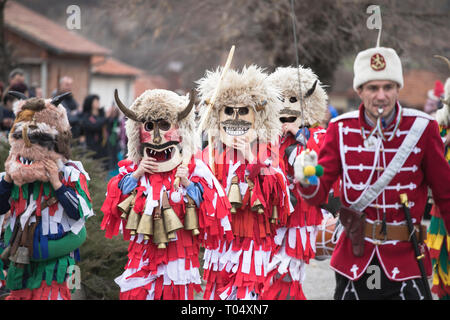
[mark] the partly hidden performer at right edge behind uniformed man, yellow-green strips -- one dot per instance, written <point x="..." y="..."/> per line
<point x="438" y="239"/>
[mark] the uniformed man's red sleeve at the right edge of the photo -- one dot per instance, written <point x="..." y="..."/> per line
<point x="437" y="171"/>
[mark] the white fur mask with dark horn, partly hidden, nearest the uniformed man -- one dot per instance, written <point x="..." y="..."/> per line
<point x="314" y="96"/>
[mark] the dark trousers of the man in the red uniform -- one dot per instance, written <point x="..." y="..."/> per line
<point x="365" y="288"/>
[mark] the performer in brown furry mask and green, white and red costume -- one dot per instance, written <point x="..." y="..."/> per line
<point x="48" y="198"/>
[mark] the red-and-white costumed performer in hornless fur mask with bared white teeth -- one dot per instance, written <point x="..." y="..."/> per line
<point x="245" y="116"/>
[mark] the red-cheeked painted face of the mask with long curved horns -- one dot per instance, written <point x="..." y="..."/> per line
<point x="160" y="141"/>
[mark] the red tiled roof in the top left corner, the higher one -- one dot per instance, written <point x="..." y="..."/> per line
<point x="47" y="33"/>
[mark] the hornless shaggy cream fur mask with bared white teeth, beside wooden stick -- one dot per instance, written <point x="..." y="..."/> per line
<point x="246" y="106"/>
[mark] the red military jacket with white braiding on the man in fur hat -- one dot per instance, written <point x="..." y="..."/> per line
<point x="359" y="163"/>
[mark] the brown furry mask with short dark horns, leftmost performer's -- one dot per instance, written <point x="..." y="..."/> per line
<point x="40" y="131"/>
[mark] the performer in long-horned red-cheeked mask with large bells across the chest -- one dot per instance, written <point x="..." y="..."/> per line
<point x="164" y="224"/>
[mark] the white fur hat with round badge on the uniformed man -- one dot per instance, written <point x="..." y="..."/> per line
<point x="377" y="63"/>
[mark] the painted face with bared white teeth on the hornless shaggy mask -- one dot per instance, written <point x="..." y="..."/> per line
<point x="236" y="121"/>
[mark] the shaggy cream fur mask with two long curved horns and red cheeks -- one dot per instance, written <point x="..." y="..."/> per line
<point x="160" y="125"/>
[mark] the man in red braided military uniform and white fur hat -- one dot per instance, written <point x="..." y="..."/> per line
<point x="380" y="151"/>
